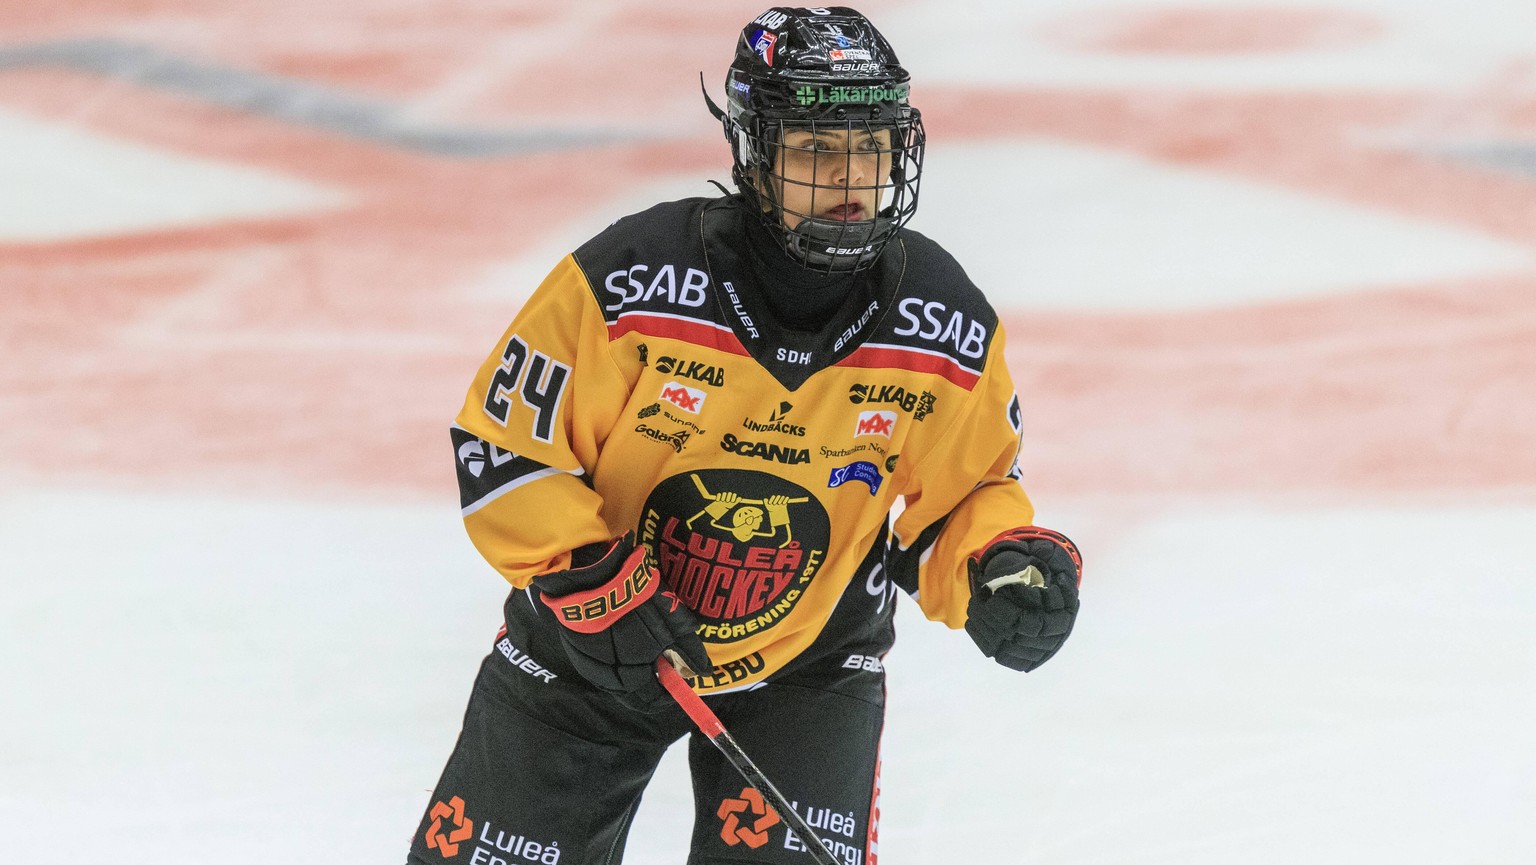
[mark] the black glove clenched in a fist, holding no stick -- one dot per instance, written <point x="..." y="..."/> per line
<point x="1024" y="597"/>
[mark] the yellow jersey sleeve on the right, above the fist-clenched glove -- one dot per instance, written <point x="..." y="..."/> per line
<point x="967" y="494"/>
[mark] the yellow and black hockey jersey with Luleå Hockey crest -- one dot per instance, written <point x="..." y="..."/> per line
<point x="644" y="386"/>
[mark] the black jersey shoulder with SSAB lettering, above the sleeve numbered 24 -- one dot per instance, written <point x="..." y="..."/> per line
<point x="652" y="263"/>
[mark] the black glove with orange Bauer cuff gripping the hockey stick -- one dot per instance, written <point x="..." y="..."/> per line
<point x="618" y="618"/>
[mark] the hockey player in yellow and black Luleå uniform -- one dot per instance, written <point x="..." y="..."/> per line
<point x="694" y="437"/>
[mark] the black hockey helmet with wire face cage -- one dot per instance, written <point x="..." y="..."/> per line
<point x="830" y="73"/>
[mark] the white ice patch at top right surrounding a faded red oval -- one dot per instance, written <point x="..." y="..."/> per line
<point x="1420" y="45"/>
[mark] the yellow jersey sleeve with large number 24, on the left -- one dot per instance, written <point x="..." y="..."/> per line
<point x="532" y="428"/>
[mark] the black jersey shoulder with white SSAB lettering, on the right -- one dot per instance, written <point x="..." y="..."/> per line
<point x="938" y="311"/>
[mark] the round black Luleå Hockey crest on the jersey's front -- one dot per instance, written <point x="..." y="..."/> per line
<point x="738" y="548"/>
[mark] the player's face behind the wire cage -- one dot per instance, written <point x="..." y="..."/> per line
<point x="835" y="173"/>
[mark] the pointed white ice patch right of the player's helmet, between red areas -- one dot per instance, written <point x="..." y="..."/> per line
<point x="1101" y="230"/>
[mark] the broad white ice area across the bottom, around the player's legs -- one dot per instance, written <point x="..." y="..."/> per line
<point x="276" y="683"/>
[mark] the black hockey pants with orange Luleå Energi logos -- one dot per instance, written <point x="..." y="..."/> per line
<point x="549" y="771"/>
